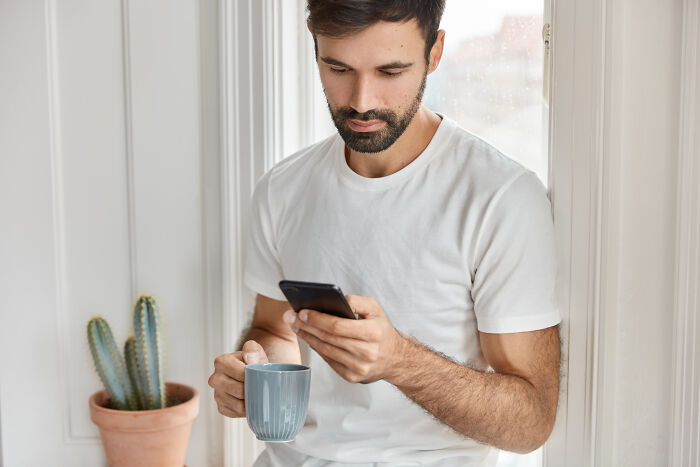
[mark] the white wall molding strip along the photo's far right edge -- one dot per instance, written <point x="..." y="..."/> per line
<point x="685" y="430"/>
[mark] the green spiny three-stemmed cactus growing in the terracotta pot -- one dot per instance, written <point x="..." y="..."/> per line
<point x="138" y="385"/>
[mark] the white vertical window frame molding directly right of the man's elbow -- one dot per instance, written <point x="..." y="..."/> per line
<point x="584" y="199"/>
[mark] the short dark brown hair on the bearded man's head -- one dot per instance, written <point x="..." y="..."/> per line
<point x="340" y="18"/>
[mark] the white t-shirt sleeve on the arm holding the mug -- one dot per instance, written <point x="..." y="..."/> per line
<point x="262" y="268"/>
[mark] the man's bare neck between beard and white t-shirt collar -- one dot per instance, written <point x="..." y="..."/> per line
<point x="410" y="145"/>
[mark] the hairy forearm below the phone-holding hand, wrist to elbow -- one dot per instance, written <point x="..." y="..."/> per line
<point x="501" y="410"/>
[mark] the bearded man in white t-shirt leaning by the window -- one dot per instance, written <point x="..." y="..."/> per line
<point x="445" y="245"/>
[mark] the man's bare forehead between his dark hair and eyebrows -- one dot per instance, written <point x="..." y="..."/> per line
<point x="382" y="42"/>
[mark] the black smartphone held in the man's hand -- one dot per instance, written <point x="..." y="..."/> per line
<point x="326" y="298"/>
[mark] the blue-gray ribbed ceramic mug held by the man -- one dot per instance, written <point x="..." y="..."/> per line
<point x="276" y="399"/>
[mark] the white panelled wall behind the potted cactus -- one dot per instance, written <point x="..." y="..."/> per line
<point x="103" y="185"/>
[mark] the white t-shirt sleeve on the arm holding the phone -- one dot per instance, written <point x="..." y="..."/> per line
<point x="514" y="288"/>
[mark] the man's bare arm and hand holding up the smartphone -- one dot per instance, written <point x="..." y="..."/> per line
<point x="512" y="409"/>
